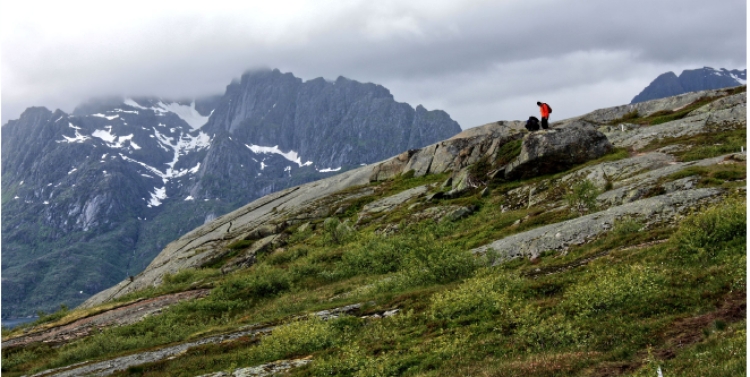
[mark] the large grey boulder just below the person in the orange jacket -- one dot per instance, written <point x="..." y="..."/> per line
<point x="555" y="150"/>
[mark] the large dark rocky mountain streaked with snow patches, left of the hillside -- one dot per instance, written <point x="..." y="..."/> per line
<point x="89" y="198"/>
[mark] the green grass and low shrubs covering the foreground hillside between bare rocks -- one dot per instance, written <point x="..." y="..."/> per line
<point x="641" y="297"/>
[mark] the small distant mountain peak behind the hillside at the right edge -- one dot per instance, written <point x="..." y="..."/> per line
<point x="706" y="78"/>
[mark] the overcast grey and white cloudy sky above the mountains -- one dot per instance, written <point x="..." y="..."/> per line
<point x="480" y="61"/>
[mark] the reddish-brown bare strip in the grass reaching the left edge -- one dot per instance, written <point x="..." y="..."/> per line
<point x="122" y="315"/>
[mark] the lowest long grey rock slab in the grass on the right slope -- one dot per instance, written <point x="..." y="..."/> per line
<point x="558" y="237"/>
